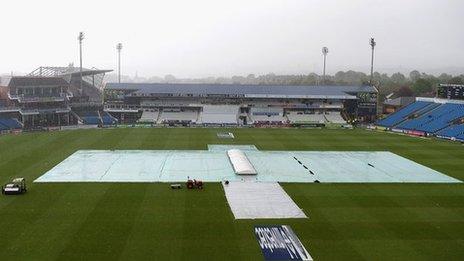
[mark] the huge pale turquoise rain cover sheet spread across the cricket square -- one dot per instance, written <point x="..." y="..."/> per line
<point x="213" y="165"/>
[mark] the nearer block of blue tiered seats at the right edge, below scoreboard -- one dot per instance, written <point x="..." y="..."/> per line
<point x="436" y="119"/>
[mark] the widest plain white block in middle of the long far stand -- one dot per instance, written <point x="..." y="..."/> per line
<point x="219" y="114"/>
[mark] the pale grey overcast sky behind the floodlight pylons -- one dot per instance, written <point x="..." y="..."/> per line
<point x="189" y="38"/>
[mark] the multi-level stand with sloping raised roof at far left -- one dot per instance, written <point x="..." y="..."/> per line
<point x="50" y="97"/>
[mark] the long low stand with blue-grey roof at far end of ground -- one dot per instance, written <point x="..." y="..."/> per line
<point x="241" y="104"/>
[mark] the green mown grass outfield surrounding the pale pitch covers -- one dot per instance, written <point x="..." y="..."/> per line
<point x="109" y="221"/>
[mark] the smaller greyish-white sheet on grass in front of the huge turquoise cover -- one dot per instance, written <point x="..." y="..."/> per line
<point x="252" y="200"/>
